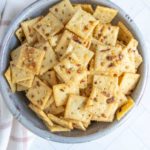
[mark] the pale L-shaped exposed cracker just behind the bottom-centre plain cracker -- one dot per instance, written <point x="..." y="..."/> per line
<point x="62" y="91"/>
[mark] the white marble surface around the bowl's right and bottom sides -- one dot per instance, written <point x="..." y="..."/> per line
<point x="135" y="134"/>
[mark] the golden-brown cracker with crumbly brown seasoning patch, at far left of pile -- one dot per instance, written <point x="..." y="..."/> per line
<point x="30" y="59"/>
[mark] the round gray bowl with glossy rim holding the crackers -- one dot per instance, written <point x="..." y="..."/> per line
<point x="17" y="103"/>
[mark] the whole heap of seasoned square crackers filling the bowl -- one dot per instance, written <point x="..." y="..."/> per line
<point x="75" y="67"/>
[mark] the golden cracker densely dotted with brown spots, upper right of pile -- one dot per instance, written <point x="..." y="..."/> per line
<point x="106" y="34"/>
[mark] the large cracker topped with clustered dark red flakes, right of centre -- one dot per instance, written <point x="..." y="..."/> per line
<point x="108" y="60"/>
